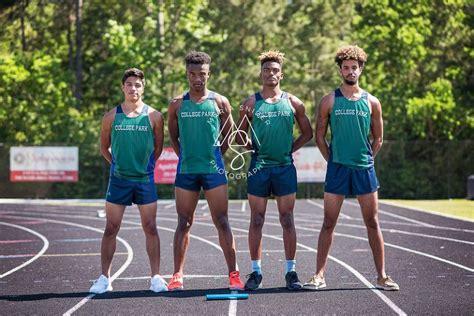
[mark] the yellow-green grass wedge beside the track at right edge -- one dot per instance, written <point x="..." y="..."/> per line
<point x="455" y="207"/>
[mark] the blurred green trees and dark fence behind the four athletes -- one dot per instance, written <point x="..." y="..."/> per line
<point x="61" y="62"/>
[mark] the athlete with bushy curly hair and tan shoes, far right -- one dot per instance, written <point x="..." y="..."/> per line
<point x="352" y="115"/>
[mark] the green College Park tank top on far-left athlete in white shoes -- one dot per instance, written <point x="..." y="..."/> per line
<point x="132" y="146"/>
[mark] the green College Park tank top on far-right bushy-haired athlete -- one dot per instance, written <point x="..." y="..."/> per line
<point x="350" y="123"/>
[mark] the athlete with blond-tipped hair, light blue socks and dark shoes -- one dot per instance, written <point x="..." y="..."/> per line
<point x="271" y="114"/>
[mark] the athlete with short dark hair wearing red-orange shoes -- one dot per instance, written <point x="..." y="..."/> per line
<point x="195" y="122"/>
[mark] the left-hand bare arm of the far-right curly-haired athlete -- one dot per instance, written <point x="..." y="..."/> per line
<point x="322" y="123"/>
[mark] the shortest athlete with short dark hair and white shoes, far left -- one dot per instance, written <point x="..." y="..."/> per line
<point x="131" y="140"/>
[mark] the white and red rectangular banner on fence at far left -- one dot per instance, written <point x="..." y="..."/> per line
<point x="44" y="164"/>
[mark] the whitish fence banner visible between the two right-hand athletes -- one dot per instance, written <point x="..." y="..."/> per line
<point x="310" y="165"/>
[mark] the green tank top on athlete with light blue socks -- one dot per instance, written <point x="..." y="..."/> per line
<point x="272" y="135"/>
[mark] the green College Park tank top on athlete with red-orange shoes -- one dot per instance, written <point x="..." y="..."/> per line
<point x="199" y="129"/>
